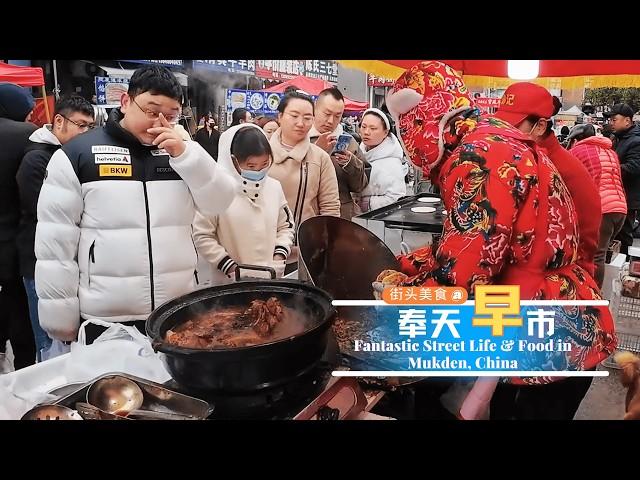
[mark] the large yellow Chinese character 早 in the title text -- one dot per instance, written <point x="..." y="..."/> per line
<point x="497" y="301"/>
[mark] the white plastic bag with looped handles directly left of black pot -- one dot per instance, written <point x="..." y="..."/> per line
<point x="119" y="349"/>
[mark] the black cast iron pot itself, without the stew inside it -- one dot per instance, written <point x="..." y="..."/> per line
<point x="244" y="369"/>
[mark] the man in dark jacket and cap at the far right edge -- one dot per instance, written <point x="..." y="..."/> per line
<point x="627" y="145"/>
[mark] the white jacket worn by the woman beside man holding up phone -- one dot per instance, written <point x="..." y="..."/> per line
<point x="386" y="183"/>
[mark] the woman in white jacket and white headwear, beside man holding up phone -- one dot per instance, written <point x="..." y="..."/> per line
<point x="384" y="152"/>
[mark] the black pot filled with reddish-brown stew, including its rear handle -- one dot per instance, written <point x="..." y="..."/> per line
<point x="242" y="337"/>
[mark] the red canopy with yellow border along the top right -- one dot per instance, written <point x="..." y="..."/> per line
<point x="493" y="73"/>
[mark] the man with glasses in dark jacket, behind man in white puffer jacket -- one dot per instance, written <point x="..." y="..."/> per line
<point x="73" y="116"/>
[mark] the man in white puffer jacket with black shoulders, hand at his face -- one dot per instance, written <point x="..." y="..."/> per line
<point x="114" y="238"/>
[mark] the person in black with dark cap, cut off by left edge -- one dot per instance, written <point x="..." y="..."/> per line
<point x="16" y="105"/>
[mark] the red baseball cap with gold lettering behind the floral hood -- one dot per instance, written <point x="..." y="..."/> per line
<point x="523" y="99"/>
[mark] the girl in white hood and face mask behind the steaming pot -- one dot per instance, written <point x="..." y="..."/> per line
<point x="258" y="227"/>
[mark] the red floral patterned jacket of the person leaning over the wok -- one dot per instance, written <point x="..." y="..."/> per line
<point x="511" y="220"/>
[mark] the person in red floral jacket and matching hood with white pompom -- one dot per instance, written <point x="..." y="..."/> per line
<point x="511" y="221"/>
